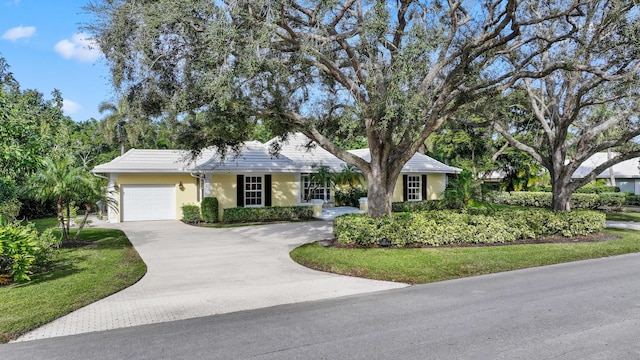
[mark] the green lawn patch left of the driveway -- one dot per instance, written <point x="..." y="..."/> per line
<point x="79" y="277"/>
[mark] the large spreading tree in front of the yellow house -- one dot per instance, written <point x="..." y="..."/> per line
<point x="392" y="71"/>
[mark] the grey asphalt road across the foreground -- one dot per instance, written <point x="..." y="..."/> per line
<point x="582" y="310"/>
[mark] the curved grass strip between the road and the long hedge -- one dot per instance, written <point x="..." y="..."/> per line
<point x="419" y="266"/>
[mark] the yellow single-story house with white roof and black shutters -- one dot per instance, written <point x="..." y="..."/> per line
<point x="155" y="184"/>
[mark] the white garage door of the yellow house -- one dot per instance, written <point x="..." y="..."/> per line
<point x="148" y="202"/>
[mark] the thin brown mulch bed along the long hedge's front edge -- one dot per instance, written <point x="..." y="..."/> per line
<point x="599" y="237"/>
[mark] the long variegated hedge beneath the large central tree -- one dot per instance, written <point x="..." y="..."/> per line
<point x="445" y="227"/>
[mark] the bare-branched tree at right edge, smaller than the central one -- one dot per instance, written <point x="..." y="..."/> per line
<point x="590" y="101"/>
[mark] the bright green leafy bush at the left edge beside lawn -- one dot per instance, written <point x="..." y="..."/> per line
<point x="22" y="248"/>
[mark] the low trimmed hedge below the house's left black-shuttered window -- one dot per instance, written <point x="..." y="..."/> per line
<point x="270" y="213"/>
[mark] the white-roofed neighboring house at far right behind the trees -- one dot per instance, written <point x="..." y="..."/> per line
<point x="626" y="173"/>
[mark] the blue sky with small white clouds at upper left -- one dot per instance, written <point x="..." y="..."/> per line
<point x="46" y="50"/>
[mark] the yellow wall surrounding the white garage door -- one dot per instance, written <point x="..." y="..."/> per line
<point x="188" y="196"/>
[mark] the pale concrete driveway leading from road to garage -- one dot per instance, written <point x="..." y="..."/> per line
<point x="194" y="272"/>
